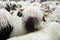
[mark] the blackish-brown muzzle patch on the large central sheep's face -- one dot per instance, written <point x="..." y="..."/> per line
<point x="30" y="24"/>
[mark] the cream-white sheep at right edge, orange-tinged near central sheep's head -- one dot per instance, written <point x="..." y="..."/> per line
<point x="54" y="15"/>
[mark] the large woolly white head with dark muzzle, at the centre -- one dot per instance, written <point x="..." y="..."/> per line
<point x="32" y="16"/>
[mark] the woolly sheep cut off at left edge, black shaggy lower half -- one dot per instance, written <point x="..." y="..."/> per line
<point x="5" y="26"/>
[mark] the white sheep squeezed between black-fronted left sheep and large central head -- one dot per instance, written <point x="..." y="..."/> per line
<point x="16" y="21"/>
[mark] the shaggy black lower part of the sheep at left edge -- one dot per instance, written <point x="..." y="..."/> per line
<point x="5" y="32"/>
